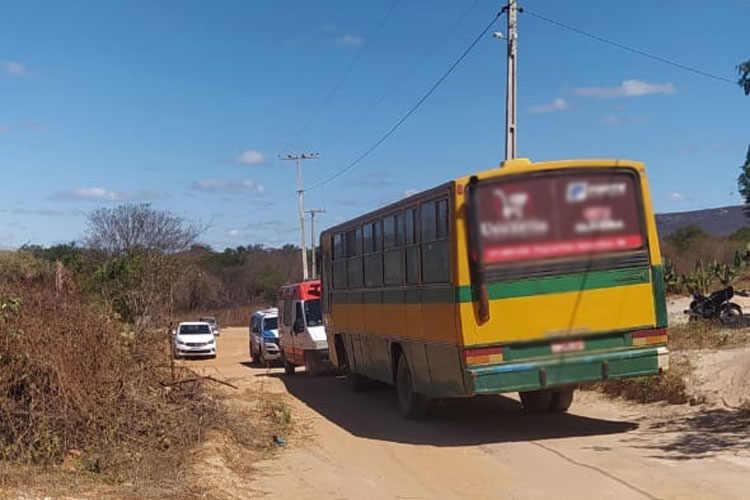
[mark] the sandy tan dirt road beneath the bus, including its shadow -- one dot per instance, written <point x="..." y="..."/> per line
<point x="356" y="446"/>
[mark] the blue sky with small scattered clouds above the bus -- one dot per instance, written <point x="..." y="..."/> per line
<point x="187" y="104"/>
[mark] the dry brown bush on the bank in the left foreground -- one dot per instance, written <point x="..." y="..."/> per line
<point x="68" y="381"/>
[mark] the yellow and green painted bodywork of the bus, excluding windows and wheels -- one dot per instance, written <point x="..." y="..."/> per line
<point x="437" y="327"/>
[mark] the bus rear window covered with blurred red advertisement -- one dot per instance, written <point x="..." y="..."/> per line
<point x="558" y="216"/>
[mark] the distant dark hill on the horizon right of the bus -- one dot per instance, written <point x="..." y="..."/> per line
<point x="721" y="221"/>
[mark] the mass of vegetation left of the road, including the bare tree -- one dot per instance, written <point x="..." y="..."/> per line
<point x="86" y="378"/>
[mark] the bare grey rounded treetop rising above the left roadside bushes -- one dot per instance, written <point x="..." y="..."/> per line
<point x="138" y="228"/>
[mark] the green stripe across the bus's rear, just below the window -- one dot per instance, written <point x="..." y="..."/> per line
<point x="561" y="284"/>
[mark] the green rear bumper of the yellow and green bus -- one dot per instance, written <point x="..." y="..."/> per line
<point x="568" y="370"/>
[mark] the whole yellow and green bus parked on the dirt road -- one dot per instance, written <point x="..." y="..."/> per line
<point x="531" y="277"/>
